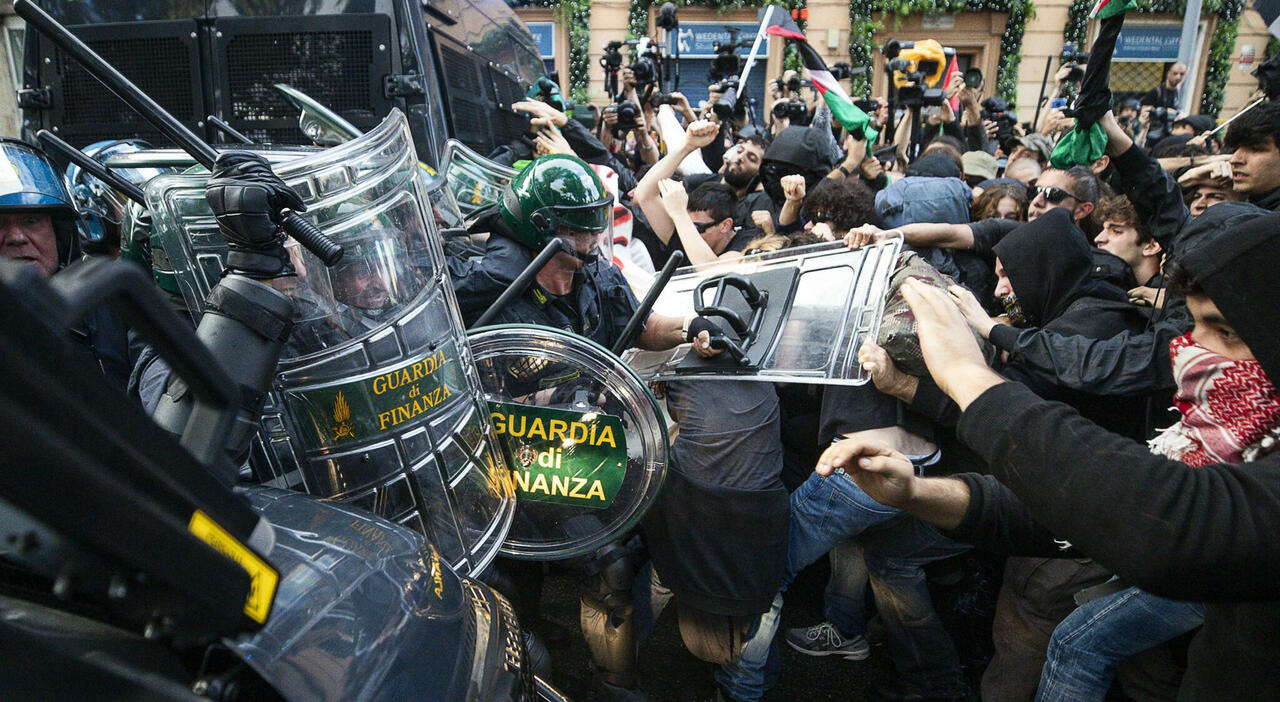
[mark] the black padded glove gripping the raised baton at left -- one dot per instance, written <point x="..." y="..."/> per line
<point x="248" y="198"/>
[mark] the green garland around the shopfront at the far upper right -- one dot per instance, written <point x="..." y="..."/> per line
<point x="1218" y="69"/>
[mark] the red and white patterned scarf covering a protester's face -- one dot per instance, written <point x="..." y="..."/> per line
<point x="1231" y="411"/>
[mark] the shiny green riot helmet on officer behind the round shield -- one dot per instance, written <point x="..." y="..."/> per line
<point x="554" y="193"/>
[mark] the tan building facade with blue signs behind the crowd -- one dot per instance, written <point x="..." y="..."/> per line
<point x="1229" y="44"/>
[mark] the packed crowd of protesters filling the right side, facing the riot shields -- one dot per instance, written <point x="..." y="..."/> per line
<point x="1060" y="311"/>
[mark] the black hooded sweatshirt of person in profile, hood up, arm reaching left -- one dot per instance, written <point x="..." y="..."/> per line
<point x="1050" y="267"/>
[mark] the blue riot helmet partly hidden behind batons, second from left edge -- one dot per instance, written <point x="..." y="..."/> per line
<point x="102" y="207"/>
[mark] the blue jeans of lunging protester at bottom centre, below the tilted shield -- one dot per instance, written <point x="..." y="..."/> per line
<point x="826" y="513"/>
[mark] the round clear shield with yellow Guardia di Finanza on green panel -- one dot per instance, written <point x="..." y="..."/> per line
<point x="582" y="432"/>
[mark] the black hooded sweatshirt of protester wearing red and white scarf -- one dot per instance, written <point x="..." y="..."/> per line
<point x="1187" y="534"/>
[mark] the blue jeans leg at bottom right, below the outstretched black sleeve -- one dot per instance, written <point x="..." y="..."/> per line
<point x="1091" y="644"/>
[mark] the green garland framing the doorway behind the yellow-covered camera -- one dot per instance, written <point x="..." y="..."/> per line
<point x="862" y="33"/>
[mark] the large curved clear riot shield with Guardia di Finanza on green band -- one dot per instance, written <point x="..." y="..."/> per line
<point x="377" y="402"/>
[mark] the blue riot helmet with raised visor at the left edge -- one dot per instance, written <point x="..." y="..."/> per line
<point x="29" y="181"/>
